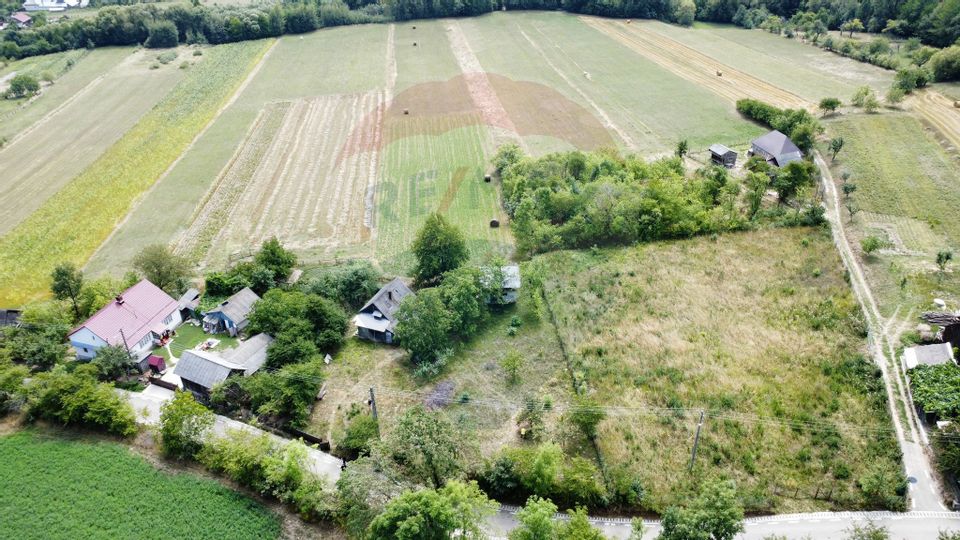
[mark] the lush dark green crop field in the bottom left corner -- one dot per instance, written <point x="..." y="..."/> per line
<point x="53" y="487"/>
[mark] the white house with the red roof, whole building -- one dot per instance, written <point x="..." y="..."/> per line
<point x="137" y="319"/>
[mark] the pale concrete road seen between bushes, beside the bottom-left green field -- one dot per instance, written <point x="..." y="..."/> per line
<point x="321" y="463"/>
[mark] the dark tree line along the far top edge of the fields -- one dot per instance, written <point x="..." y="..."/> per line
<point x="931" y="21"/>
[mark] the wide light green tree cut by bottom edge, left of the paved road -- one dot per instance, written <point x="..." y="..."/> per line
<point x="456" y="510"/>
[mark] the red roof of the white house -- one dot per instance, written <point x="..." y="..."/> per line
<point x="143" y="307"/>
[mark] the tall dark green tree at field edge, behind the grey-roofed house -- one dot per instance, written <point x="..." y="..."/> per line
<point x="439" y="247"/>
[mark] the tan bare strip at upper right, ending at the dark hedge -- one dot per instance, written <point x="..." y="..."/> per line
<point x="696" y="67"/>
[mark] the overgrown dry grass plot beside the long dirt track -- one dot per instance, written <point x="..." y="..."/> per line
<point x="760" y="330"/>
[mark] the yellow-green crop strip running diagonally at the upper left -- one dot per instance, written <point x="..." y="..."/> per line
<point x="71" y="224"/>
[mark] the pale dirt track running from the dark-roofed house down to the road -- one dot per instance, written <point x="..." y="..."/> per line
<point x="924" y="486"/>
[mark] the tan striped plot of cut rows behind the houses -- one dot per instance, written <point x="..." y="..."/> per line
<point x="300" y="176"/>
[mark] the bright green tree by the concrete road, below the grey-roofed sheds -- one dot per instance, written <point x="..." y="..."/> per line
<point x="183" y="423"/>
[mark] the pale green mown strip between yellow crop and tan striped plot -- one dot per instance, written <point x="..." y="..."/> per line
<point x="347" y="59"/>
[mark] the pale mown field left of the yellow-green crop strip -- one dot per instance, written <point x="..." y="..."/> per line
<point x="40" y="160"/>
